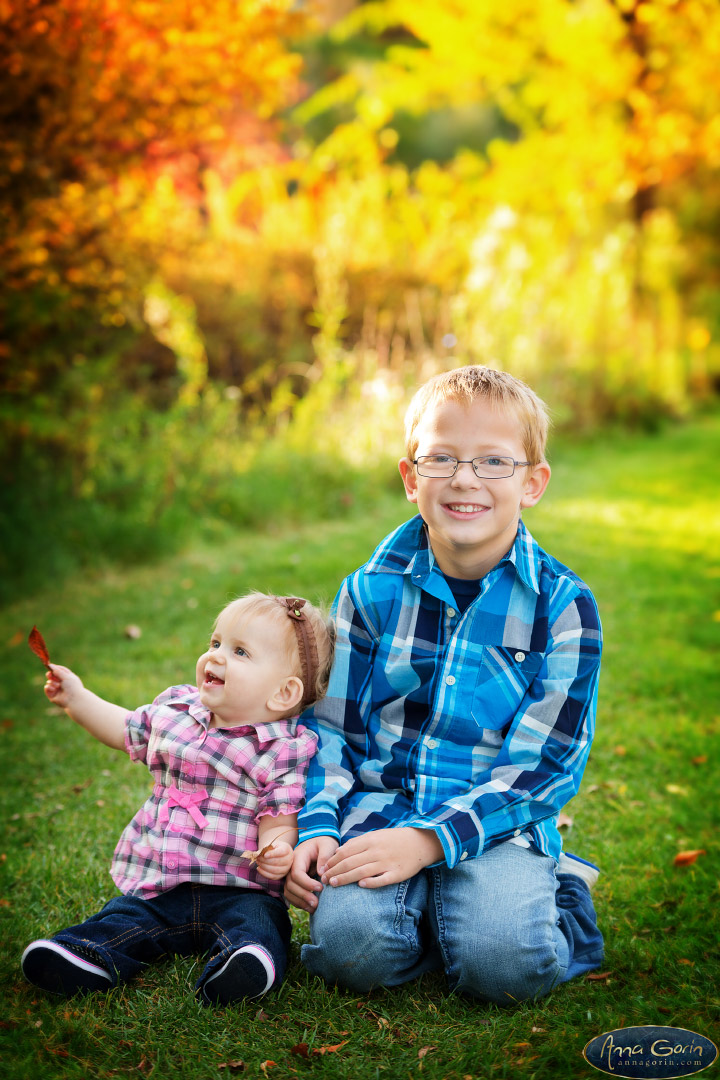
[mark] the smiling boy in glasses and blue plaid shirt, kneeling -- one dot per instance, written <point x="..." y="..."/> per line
<point x="457" y="724"/>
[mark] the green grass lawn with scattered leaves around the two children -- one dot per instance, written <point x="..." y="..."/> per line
<point x="639" y="518"/>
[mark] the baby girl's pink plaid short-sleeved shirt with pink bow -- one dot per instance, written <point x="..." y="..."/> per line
<point x="212" y="786"/>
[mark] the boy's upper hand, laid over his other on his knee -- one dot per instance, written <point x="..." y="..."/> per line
<point x="385" y="857"/>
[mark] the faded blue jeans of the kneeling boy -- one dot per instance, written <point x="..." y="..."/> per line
<point x="505" y="927"/>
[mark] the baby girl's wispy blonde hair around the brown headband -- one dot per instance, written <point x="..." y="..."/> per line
<point x="274" y="609"/>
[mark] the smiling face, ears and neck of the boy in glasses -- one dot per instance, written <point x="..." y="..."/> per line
<point x="472" y="522"/>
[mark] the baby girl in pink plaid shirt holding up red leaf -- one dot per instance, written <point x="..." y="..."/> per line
<point x="229" y="764"/>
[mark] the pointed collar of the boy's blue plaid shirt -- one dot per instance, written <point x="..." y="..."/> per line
<point x="409" y="551"/>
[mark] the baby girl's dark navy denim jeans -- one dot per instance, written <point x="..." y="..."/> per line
<point x="131" y="931"/>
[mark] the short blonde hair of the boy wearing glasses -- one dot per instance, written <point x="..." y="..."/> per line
<point x="502" y="390"/>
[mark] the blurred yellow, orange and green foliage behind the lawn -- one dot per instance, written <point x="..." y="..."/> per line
<point x="236" y="234"/>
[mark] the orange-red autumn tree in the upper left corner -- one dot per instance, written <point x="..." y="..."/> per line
<point x="104" y="106"/>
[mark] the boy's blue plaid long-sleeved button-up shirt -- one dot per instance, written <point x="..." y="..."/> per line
<point x="478" y="725"/>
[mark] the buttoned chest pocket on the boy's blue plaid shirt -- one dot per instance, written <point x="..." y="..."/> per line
<point x="505" y="676"/>
